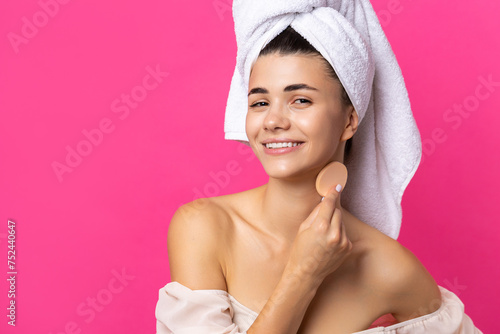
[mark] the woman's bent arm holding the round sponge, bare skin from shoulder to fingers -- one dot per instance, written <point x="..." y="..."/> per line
<point x="194" y="247"/>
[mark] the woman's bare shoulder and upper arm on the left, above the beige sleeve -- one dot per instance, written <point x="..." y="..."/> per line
<point x="197" y="241"/>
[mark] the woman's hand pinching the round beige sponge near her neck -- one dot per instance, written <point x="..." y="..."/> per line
<point x="321" y="244"/>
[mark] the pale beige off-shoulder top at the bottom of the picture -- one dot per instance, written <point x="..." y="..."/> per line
<point x="181" y="310"/>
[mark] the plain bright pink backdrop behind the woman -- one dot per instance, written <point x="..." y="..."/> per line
<point x="109" y="215"/>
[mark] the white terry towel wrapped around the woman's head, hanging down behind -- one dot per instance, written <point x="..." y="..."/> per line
<point x="386" y="149"/>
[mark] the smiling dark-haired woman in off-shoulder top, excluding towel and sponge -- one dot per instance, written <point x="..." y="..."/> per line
<point x="279" y="258"/>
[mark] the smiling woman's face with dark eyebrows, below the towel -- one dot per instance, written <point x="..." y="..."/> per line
<point x="292" y="100"/>
